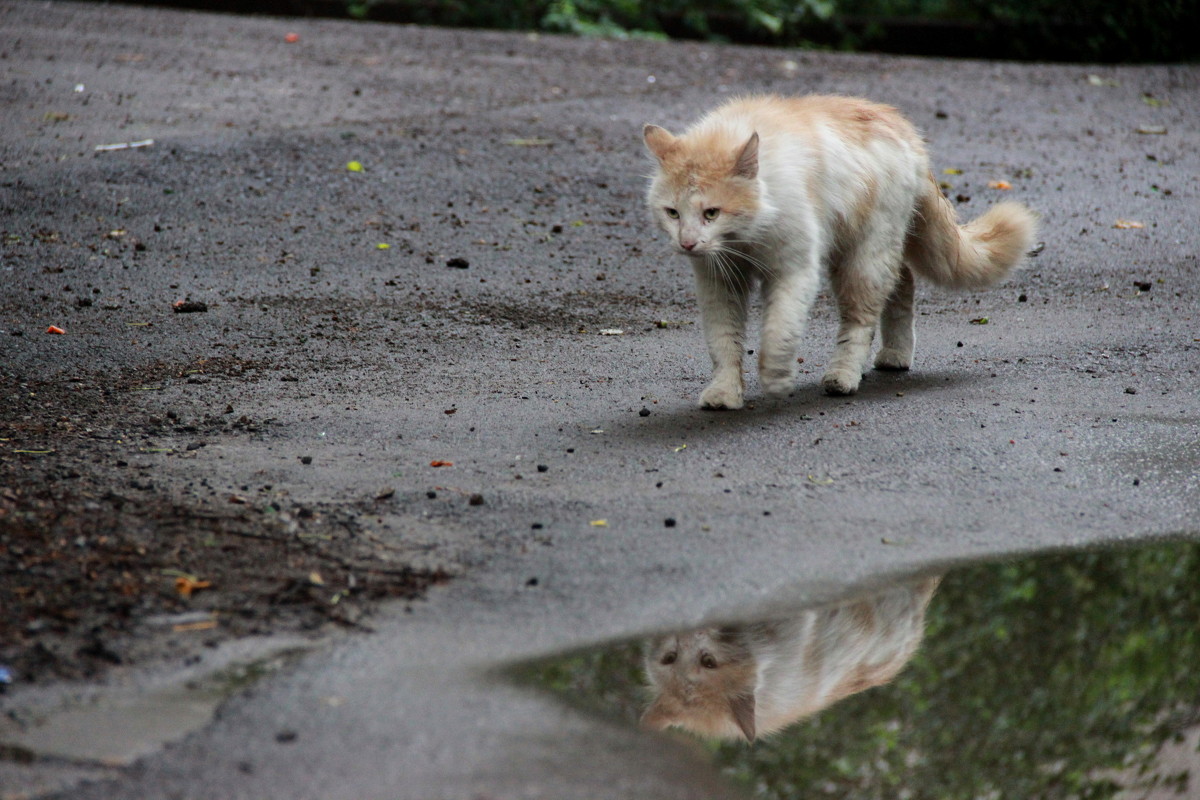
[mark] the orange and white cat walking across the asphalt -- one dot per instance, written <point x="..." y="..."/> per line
<point x="767" y="190"/>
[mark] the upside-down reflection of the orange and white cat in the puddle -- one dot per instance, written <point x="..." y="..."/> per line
<point x="745" y="682"/>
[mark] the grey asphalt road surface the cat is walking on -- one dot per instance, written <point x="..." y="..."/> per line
<point x="1071" y="418"/>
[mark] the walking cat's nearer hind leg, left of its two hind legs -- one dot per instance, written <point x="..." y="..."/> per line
<point x="863" y="280"/>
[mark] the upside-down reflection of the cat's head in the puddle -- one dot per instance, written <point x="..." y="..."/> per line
<point x="704" y="682"/>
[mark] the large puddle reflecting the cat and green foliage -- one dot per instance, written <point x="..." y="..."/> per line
<point x="1064" y="676"/>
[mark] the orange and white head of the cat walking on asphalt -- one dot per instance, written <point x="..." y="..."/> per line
<point x="705" y="193"/>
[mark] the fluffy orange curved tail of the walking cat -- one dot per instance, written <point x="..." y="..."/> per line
<point x="971" y="256"/>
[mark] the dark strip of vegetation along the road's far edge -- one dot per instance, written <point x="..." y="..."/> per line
<point x="1042" y="31"/>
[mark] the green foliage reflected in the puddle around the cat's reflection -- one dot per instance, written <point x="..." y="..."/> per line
<point x="1037" y="679"/>
